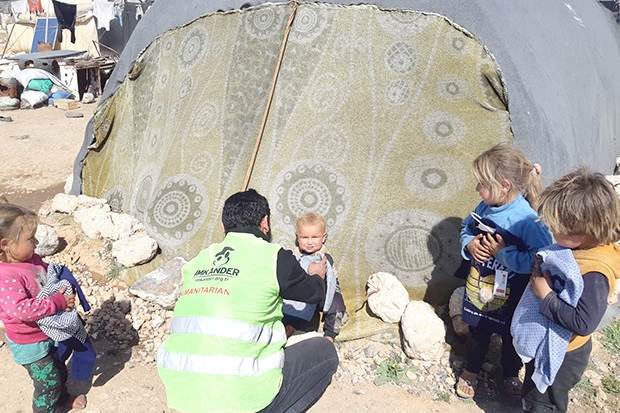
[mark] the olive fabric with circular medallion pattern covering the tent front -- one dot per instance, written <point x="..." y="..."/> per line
<point x="375" y="119"/>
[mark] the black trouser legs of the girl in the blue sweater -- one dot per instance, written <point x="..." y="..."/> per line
<point x="480" y="340"/>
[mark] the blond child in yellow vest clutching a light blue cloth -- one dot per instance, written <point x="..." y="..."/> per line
<point x="570" y="287"/>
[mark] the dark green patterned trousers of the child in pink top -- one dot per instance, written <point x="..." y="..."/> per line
<point x="49" y="376"/>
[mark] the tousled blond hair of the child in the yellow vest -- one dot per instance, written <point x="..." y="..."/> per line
<point x="582" y="203"/>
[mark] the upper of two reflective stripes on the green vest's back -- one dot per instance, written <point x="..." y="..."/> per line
<point x="220" y="327"/>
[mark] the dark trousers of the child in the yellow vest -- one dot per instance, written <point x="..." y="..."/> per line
<point x="555" y="398"/>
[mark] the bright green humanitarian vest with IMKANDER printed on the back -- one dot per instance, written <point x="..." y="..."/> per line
<point x="225" y="349"/>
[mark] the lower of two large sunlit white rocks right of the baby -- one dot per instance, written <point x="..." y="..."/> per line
<point x="423" y="332"/>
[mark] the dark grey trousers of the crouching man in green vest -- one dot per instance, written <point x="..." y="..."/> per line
<point x="308" y="369"/>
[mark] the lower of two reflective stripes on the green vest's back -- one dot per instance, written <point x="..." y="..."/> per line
<point x="220" y="365"/>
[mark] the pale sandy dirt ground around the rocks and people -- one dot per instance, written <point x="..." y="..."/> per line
<point x="38" y="151"/>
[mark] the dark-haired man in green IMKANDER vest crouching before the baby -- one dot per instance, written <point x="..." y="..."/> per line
<point x="226" y="350"/>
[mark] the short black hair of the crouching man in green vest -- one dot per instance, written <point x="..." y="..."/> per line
<point x="244" y="209"/>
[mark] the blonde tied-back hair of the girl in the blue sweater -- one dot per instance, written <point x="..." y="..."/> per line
<point x="506" y="161"/>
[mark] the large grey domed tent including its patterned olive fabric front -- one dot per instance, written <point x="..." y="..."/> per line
<point x="367" y="114"/>
